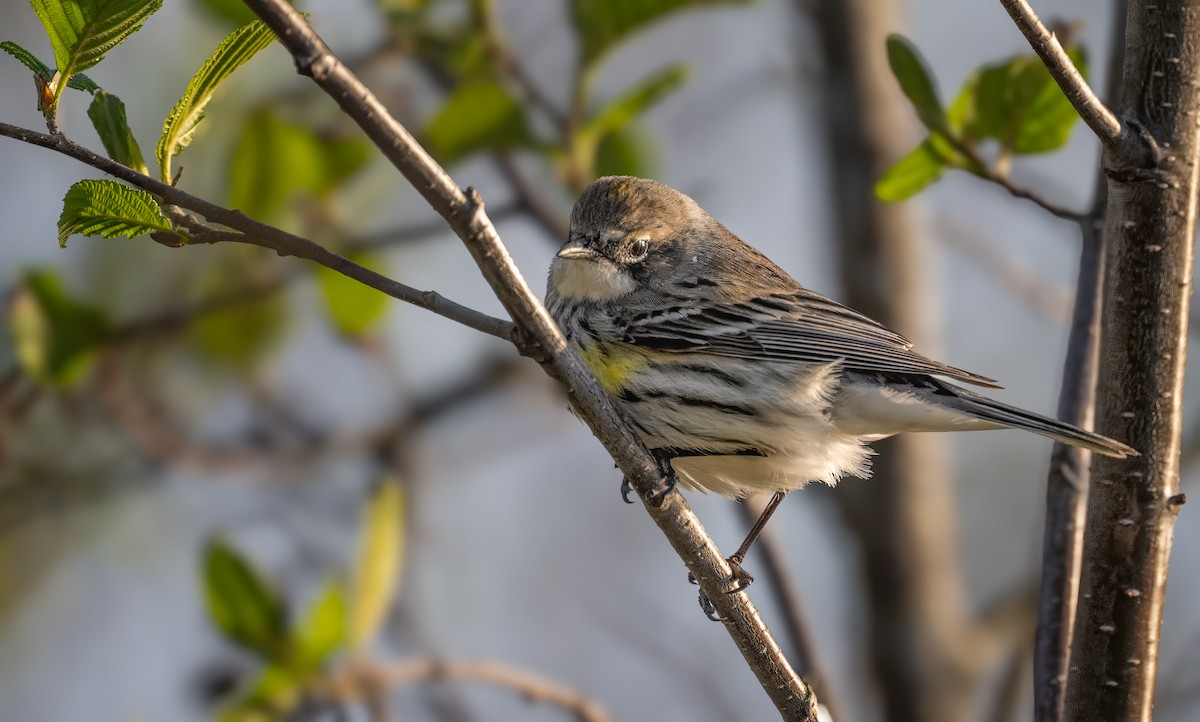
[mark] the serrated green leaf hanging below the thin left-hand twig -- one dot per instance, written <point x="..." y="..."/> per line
<point x="110" y="209"/>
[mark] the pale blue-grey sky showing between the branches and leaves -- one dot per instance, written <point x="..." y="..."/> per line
<point x="526" y="553"/>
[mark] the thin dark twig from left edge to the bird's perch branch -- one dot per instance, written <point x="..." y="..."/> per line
<point x="260" y="234"/>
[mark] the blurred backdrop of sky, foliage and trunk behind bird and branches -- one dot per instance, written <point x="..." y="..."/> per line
<point x="239" y="396"/>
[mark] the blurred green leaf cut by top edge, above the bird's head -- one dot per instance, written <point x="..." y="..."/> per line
<point x="603" y="25"/>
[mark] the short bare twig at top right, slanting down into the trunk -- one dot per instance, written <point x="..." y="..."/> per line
<point x="1096" y="115"/>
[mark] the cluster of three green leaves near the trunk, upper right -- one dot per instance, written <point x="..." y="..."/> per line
<point x="1016" y="104"/>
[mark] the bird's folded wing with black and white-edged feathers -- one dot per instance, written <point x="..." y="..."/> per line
<point x="800" y="327"/>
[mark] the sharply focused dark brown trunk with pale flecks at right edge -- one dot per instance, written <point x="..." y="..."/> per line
<point x="1133" y="503"/>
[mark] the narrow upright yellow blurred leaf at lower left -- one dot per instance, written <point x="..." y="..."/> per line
<point x="381" y="556"/>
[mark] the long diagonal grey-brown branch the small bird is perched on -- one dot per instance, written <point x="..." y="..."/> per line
<point x="465" y="213"/>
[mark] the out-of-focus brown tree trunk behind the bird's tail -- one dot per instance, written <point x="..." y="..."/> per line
<point x="904" y="518"/>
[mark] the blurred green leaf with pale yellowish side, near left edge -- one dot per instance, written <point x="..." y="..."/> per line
<point x="55" y="336"/>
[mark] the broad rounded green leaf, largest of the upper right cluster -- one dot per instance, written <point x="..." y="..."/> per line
<point x="1018" y="104"/>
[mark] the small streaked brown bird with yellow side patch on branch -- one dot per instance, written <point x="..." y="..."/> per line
<point x="736" y="377"/>
